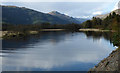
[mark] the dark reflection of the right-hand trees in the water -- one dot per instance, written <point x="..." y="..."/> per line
<point x="112" y="37"/>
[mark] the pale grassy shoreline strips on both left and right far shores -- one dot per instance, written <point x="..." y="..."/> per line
<point x="11" y="34"/>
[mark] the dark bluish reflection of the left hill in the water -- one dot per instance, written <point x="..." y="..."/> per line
<point x="54" y="37"/>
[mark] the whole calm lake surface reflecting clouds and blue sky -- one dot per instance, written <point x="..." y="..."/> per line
<point x="56" y="51"/>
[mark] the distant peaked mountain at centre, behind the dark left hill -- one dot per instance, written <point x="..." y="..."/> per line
<point x="63" y="16"/>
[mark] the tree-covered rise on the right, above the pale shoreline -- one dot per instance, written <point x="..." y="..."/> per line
<point x="112" y="22"/>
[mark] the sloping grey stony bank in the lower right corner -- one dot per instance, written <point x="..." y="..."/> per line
<point x="109" y="64"/>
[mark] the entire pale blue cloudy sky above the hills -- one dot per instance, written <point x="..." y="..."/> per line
<point x="74" y="8"/>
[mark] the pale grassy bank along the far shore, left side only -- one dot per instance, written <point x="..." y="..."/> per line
<point x="23" y="34"/>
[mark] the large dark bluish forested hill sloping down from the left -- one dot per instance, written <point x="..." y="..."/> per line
<point x="22" y="15"/>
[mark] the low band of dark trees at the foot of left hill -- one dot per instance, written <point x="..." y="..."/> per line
<point x="37" y="27"/>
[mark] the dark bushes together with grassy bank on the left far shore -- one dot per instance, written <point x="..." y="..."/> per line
<point x="22" y="31"/>
